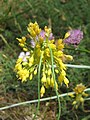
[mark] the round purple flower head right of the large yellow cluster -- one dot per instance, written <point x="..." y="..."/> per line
<point x="75" y="37"/>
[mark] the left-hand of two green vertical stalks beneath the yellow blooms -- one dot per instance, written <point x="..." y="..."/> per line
<point x="39" y="71"/>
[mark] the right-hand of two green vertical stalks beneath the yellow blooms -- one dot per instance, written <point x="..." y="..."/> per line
<point x="52" y="62"/>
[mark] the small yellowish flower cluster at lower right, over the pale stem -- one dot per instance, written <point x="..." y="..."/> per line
<point x="79" y="95"/>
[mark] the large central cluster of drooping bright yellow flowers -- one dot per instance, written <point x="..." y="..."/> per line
<point x="28" y="61"/>
